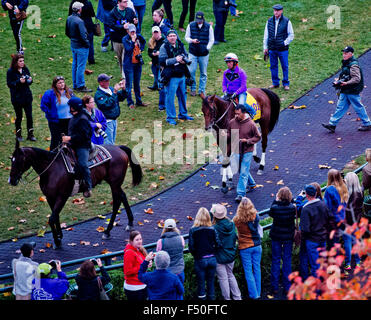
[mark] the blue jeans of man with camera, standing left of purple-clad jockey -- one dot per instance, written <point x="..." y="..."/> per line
<point x="176" y="86"/>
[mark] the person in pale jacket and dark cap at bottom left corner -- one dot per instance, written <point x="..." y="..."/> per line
<point x="24" y="271"/>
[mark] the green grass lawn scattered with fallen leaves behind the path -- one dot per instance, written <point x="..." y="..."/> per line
<point x="314" y="56"/>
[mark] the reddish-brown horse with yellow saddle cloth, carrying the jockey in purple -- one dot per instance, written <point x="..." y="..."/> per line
<point x="218" y="112"/>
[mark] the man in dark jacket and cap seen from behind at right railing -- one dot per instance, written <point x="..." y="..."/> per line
<point x="316" y="222"/>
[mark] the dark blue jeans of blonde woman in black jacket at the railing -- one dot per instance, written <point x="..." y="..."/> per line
<point x="205" y="269"/>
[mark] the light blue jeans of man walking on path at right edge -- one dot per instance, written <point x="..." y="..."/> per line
<point x="345" y="100"/>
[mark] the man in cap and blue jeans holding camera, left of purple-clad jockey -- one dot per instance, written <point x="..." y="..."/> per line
<point x="173" y="61"/>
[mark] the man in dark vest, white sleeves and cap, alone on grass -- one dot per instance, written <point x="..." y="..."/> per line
<point x="278" y="34"/>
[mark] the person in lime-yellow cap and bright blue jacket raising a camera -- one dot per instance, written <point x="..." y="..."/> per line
<point x="47" y="288"/>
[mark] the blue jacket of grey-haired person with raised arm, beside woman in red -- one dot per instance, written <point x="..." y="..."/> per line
<point x="161" y="284"/>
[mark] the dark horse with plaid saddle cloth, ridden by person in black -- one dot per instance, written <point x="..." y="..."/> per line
<point x="57" y="184"/>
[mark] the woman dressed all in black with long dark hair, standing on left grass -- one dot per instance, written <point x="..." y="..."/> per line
<point x="19" y="79"/>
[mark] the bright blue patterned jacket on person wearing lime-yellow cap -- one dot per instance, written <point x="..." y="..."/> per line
<point x="50" y="289"/>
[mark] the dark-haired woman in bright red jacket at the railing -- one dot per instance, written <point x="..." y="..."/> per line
<point x="134" y="255"/>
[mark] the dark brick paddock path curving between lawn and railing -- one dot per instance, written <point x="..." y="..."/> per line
<point x="298" y="145"/>
